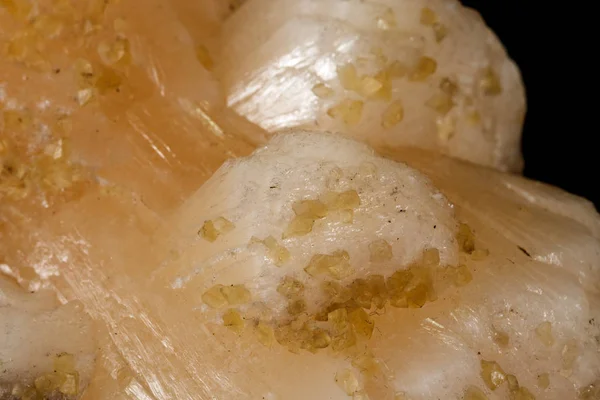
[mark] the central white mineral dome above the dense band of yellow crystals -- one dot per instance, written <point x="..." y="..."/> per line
<point x="312" y="194"/>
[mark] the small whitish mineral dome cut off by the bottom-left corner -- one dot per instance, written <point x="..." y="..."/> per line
<point x="45" y="349"/>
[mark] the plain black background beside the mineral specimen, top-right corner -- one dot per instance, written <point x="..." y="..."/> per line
<point x="549" y="42"/>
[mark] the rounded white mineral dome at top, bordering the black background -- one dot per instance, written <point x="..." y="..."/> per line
<point x="428" y="74"/>
